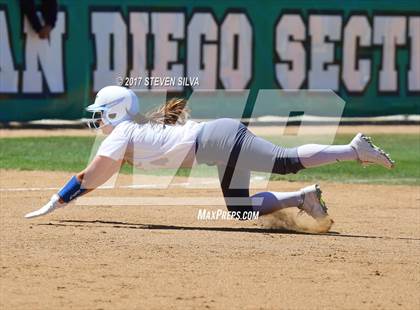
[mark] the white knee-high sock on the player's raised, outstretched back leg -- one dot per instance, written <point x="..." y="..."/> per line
<point x="314" y="155"/>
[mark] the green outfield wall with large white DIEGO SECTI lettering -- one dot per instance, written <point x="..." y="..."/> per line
<point x="368" y="52"/>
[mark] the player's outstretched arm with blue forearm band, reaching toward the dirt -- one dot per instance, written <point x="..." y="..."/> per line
<point x="96" y="174"/>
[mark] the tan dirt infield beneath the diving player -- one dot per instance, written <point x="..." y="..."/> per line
<point x="126" y="257"/>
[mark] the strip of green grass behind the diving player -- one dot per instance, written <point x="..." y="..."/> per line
<point x="72" y="154"/>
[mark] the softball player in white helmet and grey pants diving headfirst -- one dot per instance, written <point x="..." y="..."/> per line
<point x="166" y="138"/>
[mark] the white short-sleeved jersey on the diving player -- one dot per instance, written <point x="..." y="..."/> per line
<point x="149" y="146"/>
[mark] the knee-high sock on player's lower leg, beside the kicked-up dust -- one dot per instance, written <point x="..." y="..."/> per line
<point x="268" y="202"/>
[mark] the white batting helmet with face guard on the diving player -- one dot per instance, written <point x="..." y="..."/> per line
<point x="113" y="105"/>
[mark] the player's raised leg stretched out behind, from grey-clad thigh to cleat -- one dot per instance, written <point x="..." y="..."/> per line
<point x="257" y="154"/>
